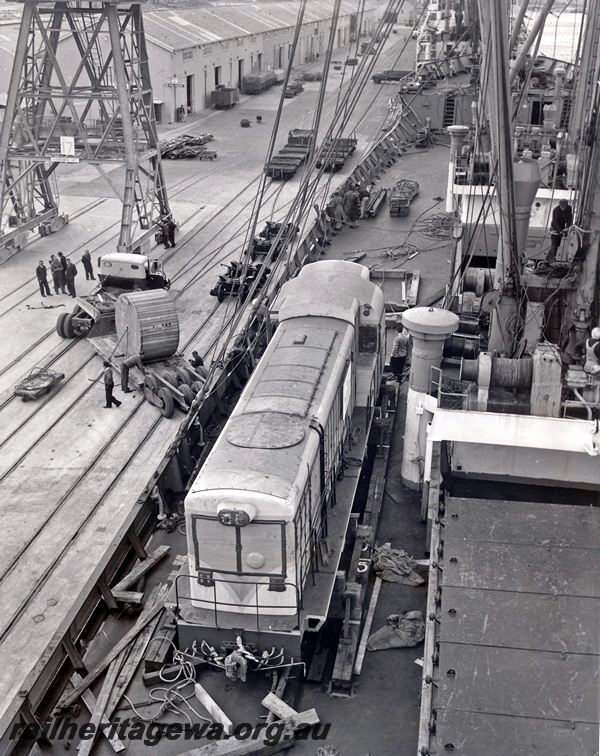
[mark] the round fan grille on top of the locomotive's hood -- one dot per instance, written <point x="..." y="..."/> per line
<point x="266" y="431"/>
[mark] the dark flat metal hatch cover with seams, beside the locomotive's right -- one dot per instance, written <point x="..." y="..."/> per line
<point x="518" y="642"/>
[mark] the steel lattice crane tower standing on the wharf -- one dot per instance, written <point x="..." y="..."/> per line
<point x="79" y="93"/>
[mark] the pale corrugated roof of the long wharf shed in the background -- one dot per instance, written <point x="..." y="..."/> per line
<point x="184" y="27"/>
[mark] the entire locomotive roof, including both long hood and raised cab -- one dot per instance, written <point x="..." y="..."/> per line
<point x="264" y="442"/>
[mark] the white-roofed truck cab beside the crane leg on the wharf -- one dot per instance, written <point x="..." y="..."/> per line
<point x="120" y="270"/>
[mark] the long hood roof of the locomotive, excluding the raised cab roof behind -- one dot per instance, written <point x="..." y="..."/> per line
<point x="265" y="439"/>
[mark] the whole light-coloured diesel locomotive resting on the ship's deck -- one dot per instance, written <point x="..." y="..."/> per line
<point x="265" y="528"/>
